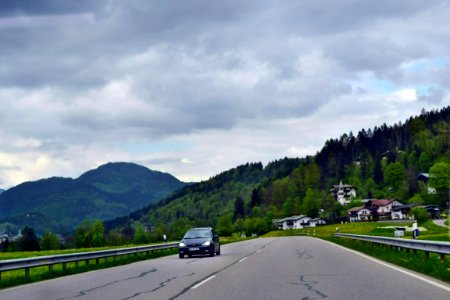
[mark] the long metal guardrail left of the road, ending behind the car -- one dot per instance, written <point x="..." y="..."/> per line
<point x="50" y="260"/>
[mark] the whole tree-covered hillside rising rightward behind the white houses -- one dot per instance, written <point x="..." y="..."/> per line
<point x="382" y="162"/>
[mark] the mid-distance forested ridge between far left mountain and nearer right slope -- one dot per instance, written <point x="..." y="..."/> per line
<point x="204" y="202"/>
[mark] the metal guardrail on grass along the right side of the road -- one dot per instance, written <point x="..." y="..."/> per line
<point x="442" y="248"/>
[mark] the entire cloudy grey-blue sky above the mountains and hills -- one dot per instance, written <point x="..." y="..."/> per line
<point x="197" y="87"/>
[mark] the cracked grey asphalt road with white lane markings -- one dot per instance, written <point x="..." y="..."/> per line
<point x="265" y="268"/>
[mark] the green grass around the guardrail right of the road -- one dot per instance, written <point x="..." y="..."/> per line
<point x="432" y="266"/>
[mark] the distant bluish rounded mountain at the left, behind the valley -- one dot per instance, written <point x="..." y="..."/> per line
<point x="60" y="204"/>
